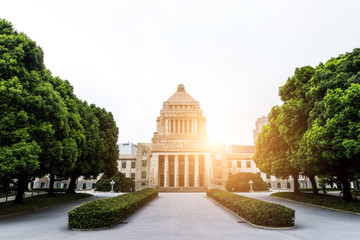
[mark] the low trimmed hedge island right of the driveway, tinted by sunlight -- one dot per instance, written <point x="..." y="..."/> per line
<point x="255" y="211"/>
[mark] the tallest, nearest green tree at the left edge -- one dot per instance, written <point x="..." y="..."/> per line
<point x="32" y="113"/>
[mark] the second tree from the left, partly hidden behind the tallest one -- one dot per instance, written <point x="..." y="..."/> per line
<point x="59" y="149"/>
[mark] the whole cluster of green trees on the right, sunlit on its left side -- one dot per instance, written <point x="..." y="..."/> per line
<point x="319" y="121"/>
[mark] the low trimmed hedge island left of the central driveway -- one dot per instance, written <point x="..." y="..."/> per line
<point x="109" y="211"/>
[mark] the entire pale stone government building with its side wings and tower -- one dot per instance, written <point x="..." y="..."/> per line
<point x="180" y="157"/>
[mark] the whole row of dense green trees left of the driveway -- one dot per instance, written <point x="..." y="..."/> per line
<point x="44" y="127"/>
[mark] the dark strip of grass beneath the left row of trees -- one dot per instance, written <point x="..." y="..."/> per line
<point x="43" y="201"/>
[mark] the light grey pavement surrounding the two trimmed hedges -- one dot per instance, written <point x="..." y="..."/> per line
<point x="184" y="216"/>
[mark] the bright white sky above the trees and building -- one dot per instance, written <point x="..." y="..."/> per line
<point x="232" y="56"/>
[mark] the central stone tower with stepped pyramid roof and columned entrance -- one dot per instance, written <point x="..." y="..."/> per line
<point x="179" y="158"/>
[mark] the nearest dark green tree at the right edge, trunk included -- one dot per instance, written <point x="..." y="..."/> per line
<point x="334" y="146"/>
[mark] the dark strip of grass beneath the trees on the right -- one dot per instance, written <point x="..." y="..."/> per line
<point x="322" y="200"/>
